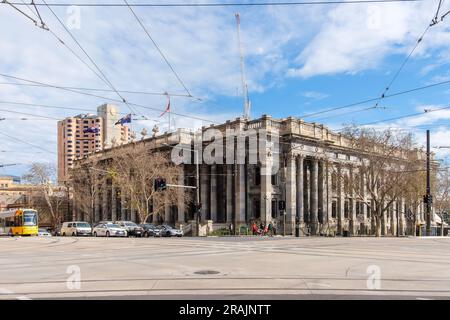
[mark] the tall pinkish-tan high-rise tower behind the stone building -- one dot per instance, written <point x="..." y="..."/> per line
<point x="74" y="143"/>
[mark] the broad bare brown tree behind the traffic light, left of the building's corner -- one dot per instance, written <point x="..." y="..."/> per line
<point x="135" y="168"/>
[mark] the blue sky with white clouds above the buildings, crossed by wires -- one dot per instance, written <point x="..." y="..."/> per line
<point x="299" y="60"/>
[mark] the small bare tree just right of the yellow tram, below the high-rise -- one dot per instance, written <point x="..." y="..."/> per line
<point x="42" y="175"/>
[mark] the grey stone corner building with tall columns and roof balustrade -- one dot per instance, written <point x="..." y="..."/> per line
<point x="305" y="191"/>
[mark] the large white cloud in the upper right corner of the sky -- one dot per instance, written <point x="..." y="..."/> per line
<point x="353" y="40"/>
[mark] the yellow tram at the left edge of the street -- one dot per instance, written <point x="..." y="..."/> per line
<point x="19" y="222"/>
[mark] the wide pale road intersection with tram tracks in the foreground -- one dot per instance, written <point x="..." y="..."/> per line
<point x="225" y="268"/>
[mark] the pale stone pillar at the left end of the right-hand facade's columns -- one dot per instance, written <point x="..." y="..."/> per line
<point x="291" y="194"/>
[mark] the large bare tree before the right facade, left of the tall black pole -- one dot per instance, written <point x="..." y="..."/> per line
<point x="388" y="163"/>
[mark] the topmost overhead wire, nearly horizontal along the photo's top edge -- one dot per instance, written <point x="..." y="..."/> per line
<point x="230" y="4"/>
